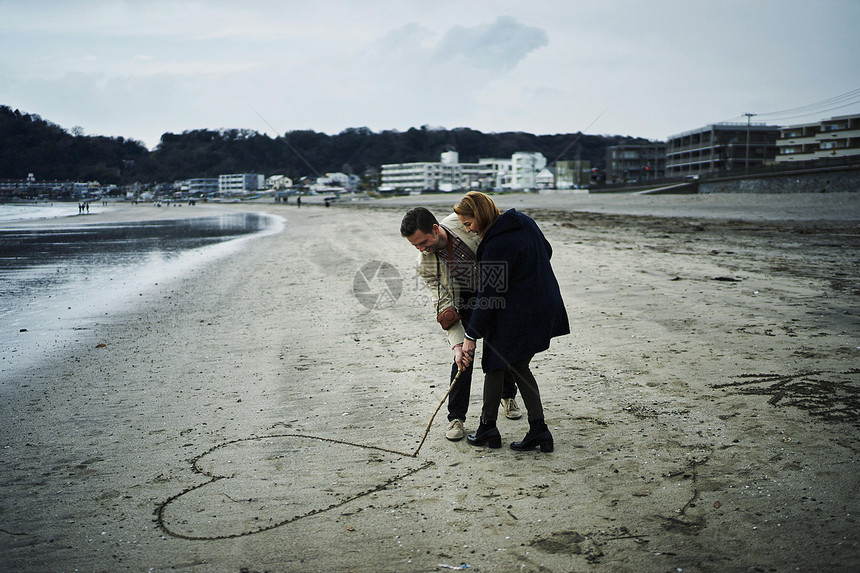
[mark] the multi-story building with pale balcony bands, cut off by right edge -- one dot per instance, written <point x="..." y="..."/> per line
<point x="831" y="138"/>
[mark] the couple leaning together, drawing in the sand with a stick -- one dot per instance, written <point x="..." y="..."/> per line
<point x="491" y="278"/>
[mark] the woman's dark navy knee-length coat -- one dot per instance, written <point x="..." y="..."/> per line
<point x="519" y="305"/>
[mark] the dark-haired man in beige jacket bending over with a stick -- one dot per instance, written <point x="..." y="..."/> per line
<point x="448" y="265"/>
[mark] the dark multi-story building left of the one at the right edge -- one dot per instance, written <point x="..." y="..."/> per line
<point x="719" y="148"/>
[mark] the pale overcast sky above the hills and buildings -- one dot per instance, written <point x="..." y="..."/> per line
<point x="652" y="69"/>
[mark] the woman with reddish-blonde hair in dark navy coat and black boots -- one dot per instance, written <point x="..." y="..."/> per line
<point x="519" y="309"/>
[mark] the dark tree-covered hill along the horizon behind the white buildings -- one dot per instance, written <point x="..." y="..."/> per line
<point x="30" y="144"/>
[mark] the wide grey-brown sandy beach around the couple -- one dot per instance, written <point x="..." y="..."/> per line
<point x="261" y="414"/>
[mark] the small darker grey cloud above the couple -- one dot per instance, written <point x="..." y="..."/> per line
<point x="499" y="46"/>
